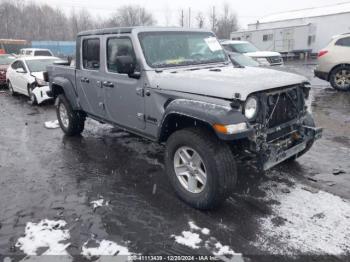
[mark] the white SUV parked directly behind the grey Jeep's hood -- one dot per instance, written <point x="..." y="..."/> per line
<point x="264" y="58"/>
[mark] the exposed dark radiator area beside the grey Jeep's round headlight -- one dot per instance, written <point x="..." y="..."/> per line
<point x="282" y="107"/>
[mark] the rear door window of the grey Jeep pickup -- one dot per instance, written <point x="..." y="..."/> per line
<point x="91" y="54"/>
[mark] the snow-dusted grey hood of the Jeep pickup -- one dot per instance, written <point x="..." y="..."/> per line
<point x="223" y="82"/>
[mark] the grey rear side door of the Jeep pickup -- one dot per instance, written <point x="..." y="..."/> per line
<point x="88" y="77"/>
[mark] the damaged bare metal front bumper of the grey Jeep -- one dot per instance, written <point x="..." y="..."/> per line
<point x="277" y="154"/>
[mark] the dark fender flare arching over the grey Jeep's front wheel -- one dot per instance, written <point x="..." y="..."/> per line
<point x="207" y="113"/>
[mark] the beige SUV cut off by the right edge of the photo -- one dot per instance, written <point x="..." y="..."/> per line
<point x="334" y="63"/>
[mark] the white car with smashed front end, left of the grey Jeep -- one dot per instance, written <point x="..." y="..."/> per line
<point x="26" y="76"/>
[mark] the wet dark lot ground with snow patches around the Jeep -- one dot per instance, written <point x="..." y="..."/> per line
<point x="106" y="192"/>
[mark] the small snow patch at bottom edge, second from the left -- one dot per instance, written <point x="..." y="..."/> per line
<point x="104" y="248"/>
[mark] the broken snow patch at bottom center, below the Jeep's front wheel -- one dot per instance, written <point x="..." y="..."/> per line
<point x="193" y="240"/>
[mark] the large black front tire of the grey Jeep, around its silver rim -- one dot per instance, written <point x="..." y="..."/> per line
<point x="219" y="162"/>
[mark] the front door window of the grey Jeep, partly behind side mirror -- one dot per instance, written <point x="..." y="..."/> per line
<point x="118" y="47"/>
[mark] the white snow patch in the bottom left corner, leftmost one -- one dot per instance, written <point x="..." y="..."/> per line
<point x="45" y="234"/>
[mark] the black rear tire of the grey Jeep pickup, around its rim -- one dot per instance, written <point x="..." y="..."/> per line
<point x="76" y="119"/>
